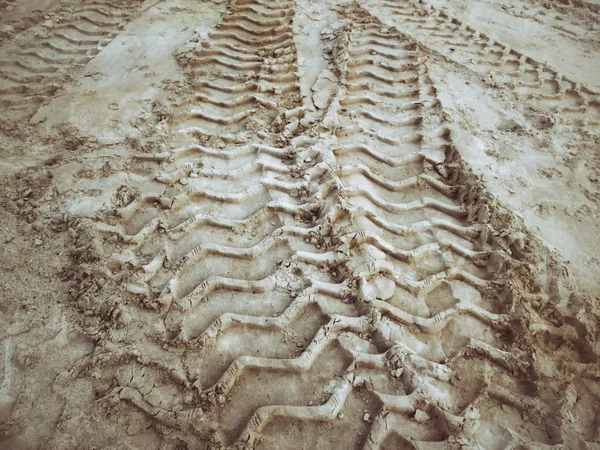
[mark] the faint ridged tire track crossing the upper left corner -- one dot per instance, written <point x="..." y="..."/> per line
<point x="42" y="59"/>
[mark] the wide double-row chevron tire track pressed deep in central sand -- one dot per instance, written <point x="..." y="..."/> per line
<point x="358" y="279"/>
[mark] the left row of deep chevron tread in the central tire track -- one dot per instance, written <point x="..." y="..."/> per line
<point x="198" y="231"/>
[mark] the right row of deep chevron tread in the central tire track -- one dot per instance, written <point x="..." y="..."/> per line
<point x="403" y="273"/>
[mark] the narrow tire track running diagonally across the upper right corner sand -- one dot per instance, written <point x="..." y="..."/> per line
<point x="533" y="80"/>
